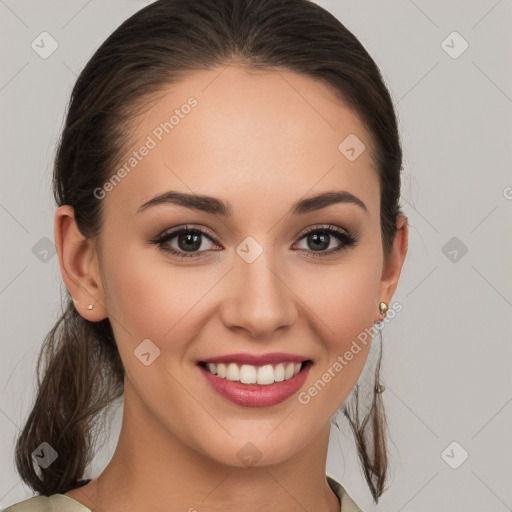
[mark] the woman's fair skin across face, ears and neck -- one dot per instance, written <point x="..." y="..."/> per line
<point x="260" y="143"/>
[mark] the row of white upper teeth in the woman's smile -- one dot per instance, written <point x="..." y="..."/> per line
<point x="249" y="374"/>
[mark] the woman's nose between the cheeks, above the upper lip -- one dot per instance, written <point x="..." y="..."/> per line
<point x="259" y="298"/>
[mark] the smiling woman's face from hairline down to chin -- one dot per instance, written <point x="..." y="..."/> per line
<point x="254" y="281"/>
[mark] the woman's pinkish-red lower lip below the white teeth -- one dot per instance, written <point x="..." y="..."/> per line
<point x="256" y="395"/>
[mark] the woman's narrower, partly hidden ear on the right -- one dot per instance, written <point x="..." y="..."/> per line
<point x="393" y="264"/>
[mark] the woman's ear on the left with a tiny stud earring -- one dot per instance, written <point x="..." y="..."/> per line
<point x="79" y="265"/>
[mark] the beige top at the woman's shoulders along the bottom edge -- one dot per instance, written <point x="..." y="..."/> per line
<point x="63" y="503"/>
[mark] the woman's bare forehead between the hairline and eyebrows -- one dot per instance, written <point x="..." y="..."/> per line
<point x="246" y="135"/>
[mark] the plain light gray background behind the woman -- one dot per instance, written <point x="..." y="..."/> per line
<point x="447" y="354"/>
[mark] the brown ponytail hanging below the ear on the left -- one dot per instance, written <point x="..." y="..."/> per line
<point x="79" y="373"/>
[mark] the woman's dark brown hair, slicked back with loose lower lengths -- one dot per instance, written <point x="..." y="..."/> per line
<point x="159" y="45"/>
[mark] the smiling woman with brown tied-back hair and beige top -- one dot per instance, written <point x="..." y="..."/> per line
<point x="228" y="227"/>
